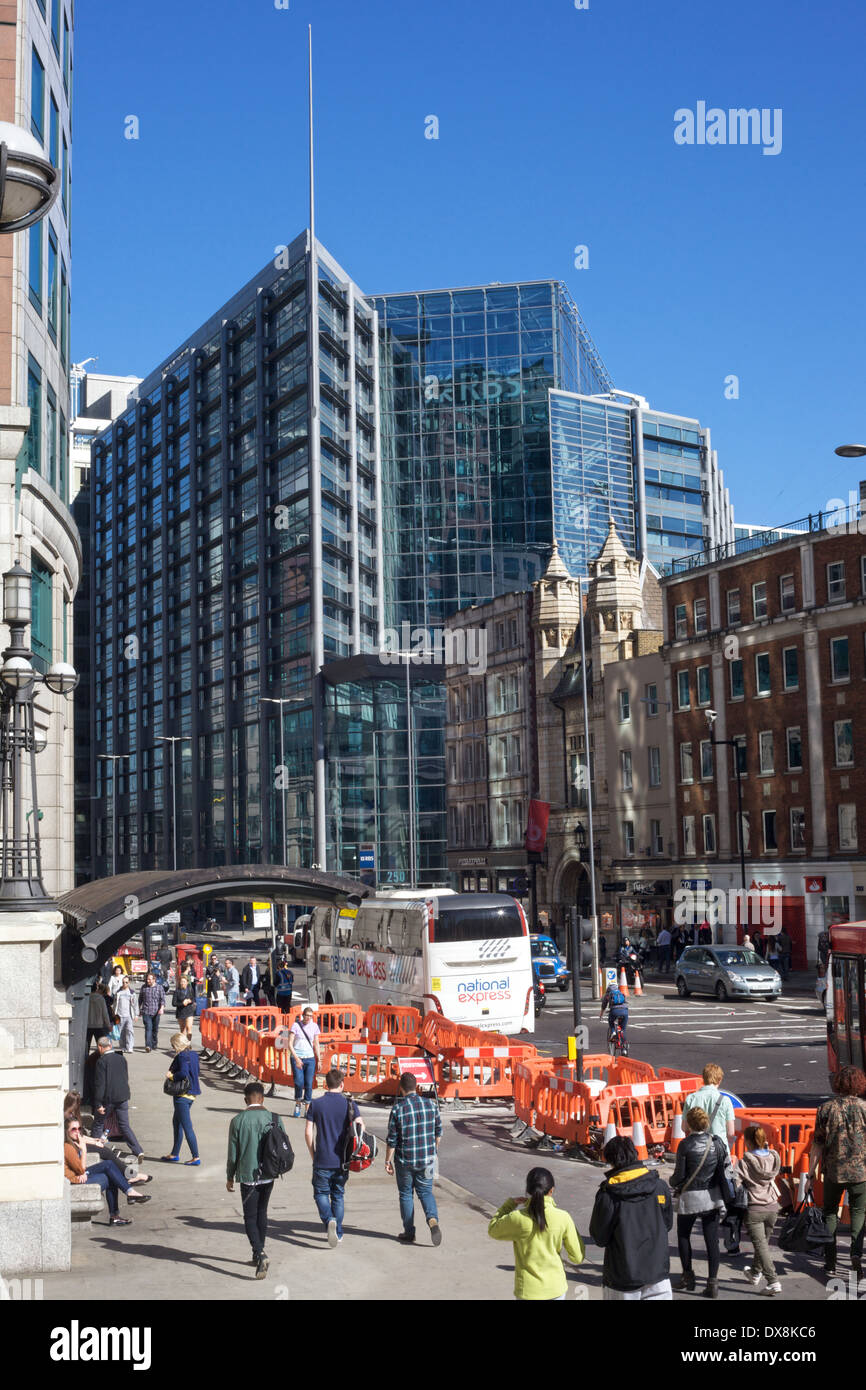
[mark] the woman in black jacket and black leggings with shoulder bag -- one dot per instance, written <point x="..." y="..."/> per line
<point x="701" y="1166"/>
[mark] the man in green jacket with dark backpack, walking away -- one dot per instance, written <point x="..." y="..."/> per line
<point x="259" y="1152"/>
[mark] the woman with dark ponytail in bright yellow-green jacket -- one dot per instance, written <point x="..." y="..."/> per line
<point x="539" y="1232"/>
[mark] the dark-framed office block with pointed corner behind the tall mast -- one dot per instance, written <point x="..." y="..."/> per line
<point x="236" y="553"/>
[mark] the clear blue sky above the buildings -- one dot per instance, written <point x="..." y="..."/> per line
<point x="557" y="129"/>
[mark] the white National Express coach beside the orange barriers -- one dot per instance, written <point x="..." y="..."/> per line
<point x="466" y="956"/>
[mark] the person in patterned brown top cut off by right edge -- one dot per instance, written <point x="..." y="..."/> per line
<point x="840" y="1150"/>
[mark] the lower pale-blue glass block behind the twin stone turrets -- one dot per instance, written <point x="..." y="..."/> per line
<point x="654" y="473"/>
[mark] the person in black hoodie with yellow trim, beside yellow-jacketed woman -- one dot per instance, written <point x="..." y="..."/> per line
<point x="632" y="1218"/>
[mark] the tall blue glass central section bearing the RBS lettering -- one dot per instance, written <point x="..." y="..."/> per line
<point x="466" y="430"/>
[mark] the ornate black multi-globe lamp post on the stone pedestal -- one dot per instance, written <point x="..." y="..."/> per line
<point x="20" y="850"/>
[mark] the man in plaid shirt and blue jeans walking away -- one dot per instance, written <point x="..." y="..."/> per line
<point x="414" y="1138"/>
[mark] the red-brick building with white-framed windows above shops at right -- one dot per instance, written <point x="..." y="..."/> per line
<point x="772" y="643"/>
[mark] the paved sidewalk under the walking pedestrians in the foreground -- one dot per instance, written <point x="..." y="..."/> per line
<point x="191" y="1241"/>
